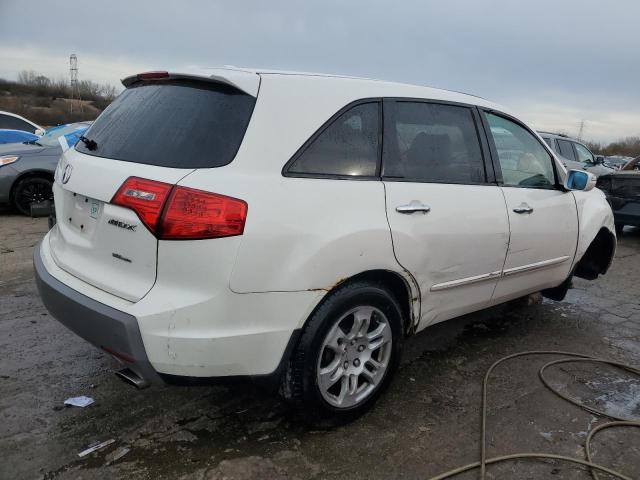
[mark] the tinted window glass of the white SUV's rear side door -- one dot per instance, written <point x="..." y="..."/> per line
<point x="429" y="142"/>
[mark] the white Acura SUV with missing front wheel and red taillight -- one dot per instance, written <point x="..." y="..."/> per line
<point x="297" y="227"/>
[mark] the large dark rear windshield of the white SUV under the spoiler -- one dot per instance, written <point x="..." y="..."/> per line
<point x="178" y="124"/>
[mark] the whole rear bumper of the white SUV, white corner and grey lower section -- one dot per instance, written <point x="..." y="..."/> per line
<point x="177" y="330"/>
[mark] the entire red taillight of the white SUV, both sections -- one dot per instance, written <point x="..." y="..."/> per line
<point x="172" y="212"/>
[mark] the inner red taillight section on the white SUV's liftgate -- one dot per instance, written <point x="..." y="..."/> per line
<point x="145" y="197"/>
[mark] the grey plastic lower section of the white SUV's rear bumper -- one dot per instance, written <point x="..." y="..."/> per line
<point x="105" y="327"/>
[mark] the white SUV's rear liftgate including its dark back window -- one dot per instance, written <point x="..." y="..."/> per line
<point x="156" y="130"/>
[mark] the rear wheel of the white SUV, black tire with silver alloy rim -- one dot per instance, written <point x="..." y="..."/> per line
<point x="347" y="354"/>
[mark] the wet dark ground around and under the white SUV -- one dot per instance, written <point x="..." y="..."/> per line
<point x="427" y="423"/>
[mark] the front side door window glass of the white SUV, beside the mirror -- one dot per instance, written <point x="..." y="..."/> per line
<point x="523" y="160"/>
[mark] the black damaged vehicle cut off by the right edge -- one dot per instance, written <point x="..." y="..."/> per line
<point x="623" y="194"/>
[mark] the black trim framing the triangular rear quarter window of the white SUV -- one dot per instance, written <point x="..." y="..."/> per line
<point x="320" y="131"/>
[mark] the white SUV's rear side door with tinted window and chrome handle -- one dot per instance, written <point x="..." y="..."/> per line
<point x="448" y="219"/>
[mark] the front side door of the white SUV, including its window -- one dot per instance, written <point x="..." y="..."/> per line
<point x="542" y="216"/>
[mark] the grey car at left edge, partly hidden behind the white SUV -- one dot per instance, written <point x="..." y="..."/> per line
<point x="26" y="169"/>
